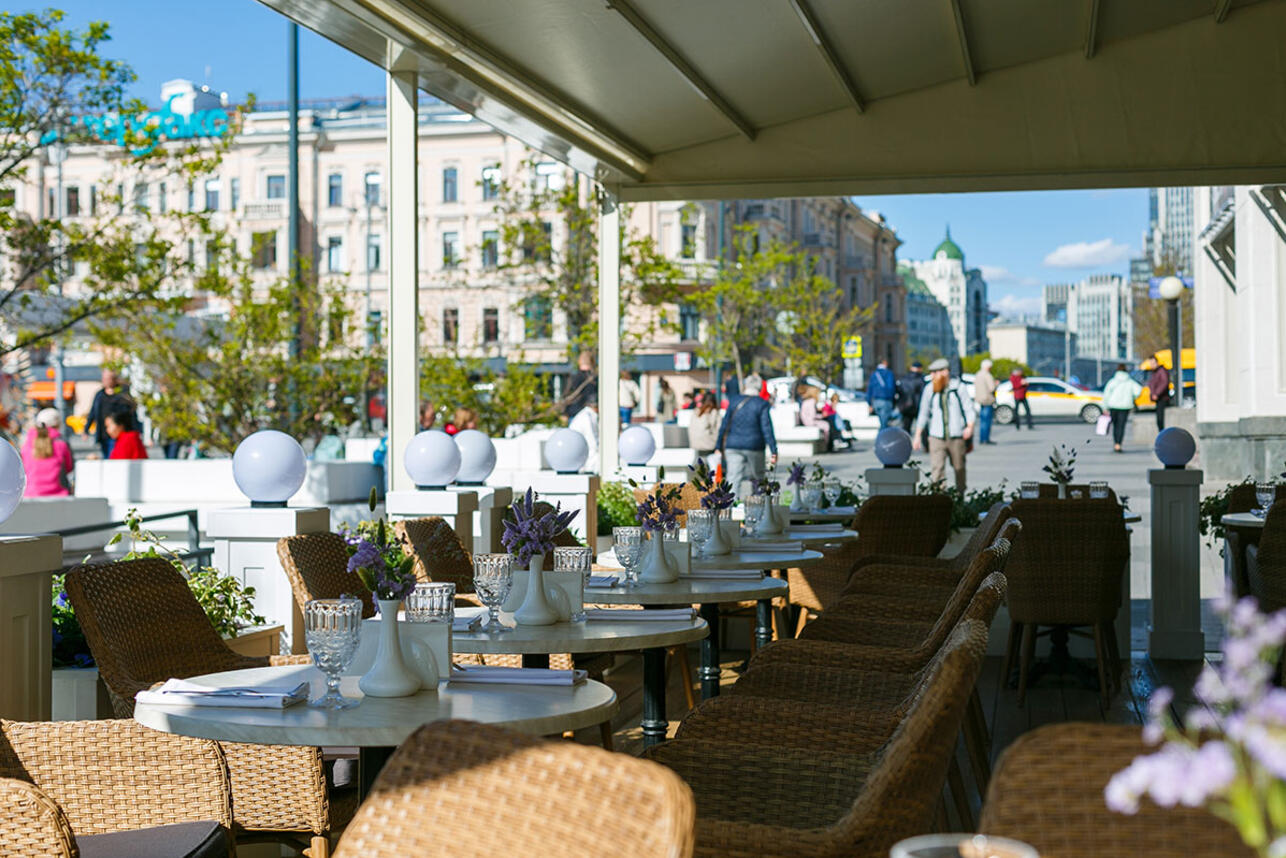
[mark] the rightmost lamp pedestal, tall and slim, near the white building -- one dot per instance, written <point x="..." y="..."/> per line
<point x="1175" y="628"/>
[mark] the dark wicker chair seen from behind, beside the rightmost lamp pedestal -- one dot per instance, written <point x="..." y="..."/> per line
<point x="1065" y="570"/>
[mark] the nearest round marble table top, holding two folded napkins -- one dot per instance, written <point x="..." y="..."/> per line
<point x="380" y="722"/>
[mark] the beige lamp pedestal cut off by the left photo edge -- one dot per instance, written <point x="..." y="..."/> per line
<point x="26" y="671"/>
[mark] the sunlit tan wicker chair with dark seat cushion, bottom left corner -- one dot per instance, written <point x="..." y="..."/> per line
<point x="111" y="788"/>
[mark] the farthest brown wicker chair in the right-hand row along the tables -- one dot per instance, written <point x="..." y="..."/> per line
<point x="915" y="527"/>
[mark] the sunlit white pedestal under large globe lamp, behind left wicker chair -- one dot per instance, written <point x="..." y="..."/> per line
<point x="246" y="549"/>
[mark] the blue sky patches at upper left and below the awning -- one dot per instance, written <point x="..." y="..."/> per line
<point x="1020" y="241"/>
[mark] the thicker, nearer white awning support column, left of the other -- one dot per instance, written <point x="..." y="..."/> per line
<point x="403" y="273"/>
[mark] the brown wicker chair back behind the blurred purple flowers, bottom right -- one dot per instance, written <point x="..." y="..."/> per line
<point x="1049" y="793"/>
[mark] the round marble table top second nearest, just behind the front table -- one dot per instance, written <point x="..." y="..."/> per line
<point x="591" y="636"/>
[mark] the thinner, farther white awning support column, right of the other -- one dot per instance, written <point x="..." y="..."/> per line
<point x="609" y="333"/>
